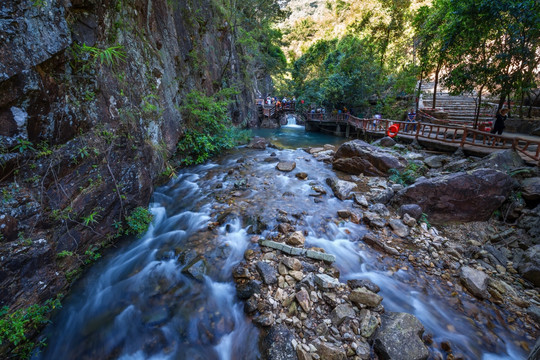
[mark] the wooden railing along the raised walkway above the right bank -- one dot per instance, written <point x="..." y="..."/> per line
<point x="459" y="135"/>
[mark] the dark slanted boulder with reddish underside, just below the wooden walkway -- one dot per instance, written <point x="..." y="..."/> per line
<point x="358" y="157"/>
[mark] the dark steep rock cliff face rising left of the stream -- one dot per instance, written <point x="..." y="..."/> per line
<point x="89" y="92"/>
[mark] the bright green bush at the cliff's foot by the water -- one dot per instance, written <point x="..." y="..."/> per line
<point x="208" y="126"/>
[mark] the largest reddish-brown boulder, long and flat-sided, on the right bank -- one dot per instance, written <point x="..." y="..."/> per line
<point x="460" y="197"/>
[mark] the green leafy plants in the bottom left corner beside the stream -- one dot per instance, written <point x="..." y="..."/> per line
<point x="15" y="326"/>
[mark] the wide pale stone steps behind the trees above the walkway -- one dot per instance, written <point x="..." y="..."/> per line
<point x="460" y="109"/>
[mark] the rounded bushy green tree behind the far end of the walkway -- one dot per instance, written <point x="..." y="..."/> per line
<point x="346" y="73"/>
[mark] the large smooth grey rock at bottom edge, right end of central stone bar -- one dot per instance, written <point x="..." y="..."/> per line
<point x="400" y="337"/>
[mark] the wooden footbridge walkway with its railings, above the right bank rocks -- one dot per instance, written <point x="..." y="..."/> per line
<point x="444" y="135"/>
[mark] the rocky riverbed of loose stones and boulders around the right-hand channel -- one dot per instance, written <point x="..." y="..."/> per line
<point x="294" y="294"/>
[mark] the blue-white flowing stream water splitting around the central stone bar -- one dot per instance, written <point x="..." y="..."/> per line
<point x="136" y="303"/>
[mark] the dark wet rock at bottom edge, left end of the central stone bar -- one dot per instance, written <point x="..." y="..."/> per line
<point x="277" y="344"/>
